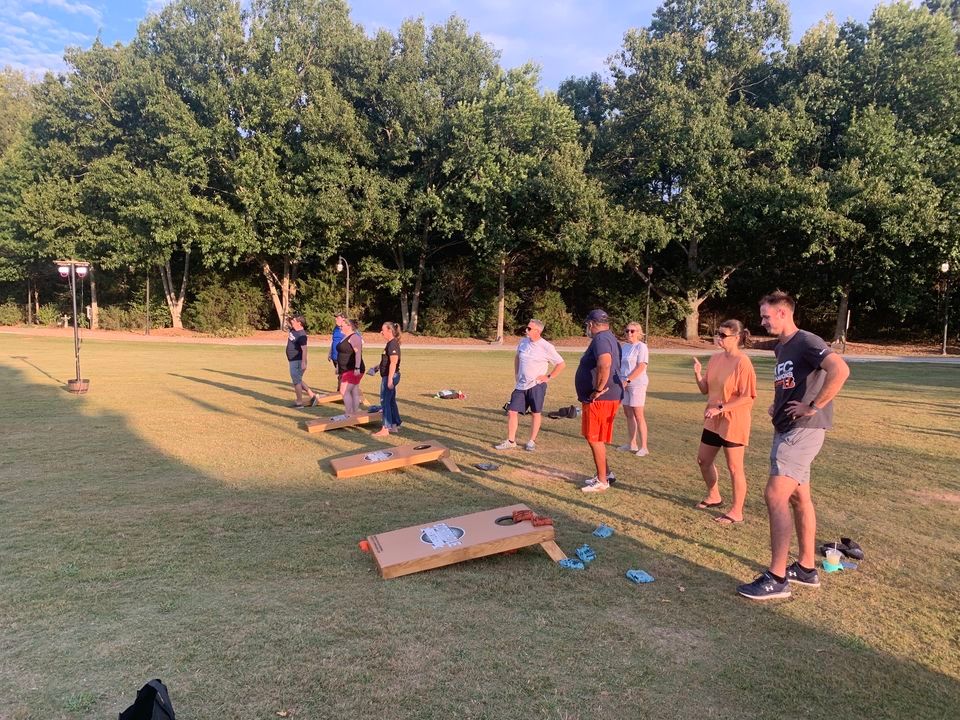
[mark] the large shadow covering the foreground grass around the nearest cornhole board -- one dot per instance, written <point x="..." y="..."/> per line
<point x="253" y="601"/>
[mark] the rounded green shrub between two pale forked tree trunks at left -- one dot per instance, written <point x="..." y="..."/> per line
<point x="236" y="308"/>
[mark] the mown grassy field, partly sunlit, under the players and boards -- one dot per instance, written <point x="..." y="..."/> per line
<point x="178" y="523"/>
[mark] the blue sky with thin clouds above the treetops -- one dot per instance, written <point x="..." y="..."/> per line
<point x="565" y="37"/>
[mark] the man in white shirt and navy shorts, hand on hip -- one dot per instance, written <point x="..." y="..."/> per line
<point x="531" y="368"/>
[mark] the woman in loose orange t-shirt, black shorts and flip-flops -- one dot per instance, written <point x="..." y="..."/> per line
<point x="730" y="385"/>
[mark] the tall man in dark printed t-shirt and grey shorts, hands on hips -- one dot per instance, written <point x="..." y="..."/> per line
<point x="807" y="377"/>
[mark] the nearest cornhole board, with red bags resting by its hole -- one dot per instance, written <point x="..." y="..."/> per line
<point x="436" y="544"/>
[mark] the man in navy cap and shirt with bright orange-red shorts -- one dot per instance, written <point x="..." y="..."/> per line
<point x="599" y="389"/>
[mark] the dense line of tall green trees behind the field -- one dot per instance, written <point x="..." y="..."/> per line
<point x="239" y="154"/>
